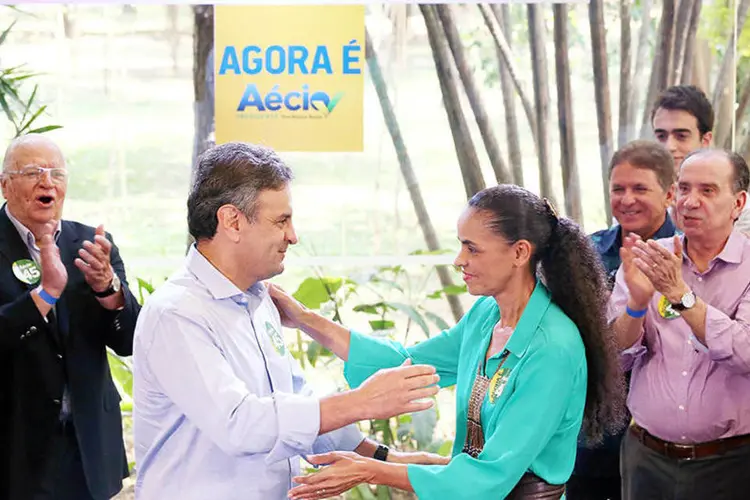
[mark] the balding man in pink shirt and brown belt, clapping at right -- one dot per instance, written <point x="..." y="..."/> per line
<point x="681" y="312"/>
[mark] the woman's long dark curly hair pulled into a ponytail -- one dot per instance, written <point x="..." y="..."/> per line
<point x="572" y="271"/>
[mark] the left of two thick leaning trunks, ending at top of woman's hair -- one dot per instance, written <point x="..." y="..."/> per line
<point x="465" y="151"/>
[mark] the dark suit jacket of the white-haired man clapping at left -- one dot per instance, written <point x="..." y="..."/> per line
<point x="38" y="358"/>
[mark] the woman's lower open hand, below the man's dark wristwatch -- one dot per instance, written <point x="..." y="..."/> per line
<point x="344" y="470"/>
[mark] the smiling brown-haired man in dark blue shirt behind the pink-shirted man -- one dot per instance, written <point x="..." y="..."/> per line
<point x="641" y="188"/>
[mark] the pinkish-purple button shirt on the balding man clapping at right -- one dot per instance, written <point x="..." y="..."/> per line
<point x="682" y="390"/>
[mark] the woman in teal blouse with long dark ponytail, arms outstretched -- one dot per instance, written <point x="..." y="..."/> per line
<point x="532" y="360"/>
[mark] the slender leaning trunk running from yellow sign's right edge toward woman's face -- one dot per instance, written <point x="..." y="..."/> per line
<point x="410" y="178"/>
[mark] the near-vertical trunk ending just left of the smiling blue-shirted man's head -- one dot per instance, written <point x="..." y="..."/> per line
<point x="601" y="94"/>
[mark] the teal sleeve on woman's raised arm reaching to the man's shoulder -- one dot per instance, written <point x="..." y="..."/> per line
<point x="367" y="355"/>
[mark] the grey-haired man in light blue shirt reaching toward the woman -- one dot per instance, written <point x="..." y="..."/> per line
<point x="221" y="408"/>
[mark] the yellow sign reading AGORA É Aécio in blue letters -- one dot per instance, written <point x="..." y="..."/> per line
<point x="290" y="77"/>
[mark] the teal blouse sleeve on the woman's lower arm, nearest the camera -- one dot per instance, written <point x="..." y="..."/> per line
<point x="546" y="395"/>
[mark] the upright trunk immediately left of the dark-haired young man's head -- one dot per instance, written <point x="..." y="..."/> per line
<point x="660" y="64"/>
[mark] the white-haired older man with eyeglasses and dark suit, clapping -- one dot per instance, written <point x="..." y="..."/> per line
<point x="63" y="300"/>
